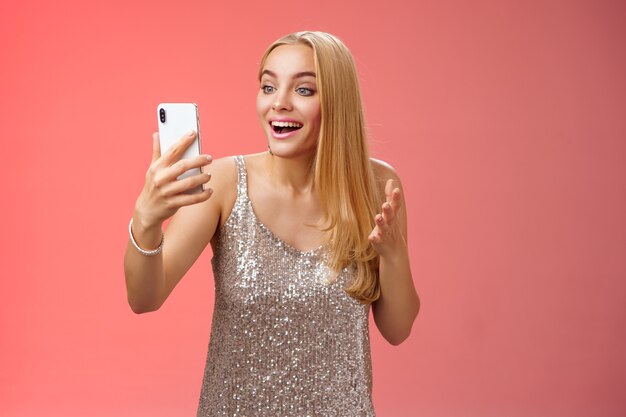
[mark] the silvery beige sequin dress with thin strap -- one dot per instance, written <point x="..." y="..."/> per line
<point x="284" y="341"/>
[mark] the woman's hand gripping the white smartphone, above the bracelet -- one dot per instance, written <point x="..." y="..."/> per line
<point x="163" y="194"/>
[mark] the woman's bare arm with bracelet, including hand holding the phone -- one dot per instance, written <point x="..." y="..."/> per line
<point x="150" y="279"/>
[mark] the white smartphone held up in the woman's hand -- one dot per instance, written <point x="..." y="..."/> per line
<point x="175" y="120"/>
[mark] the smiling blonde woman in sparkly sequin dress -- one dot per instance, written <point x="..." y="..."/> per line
<point x="305" y="236"/>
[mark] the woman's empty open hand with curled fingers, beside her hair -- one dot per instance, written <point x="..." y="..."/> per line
<point x="387" y="236"/>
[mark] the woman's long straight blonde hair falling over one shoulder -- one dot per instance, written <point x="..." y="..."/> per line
<point x="344" y="179"/>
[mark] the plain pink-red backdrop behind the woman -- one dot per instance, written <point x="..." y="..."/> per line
<point x="505" y="119"/>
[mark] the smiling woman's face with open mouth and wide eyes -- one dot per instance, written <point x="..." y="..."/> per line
<point x="288" y="102"/>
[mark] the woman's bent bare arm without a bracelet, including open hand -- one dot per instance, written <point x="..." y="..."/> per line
<point x="398" y="305"/>
